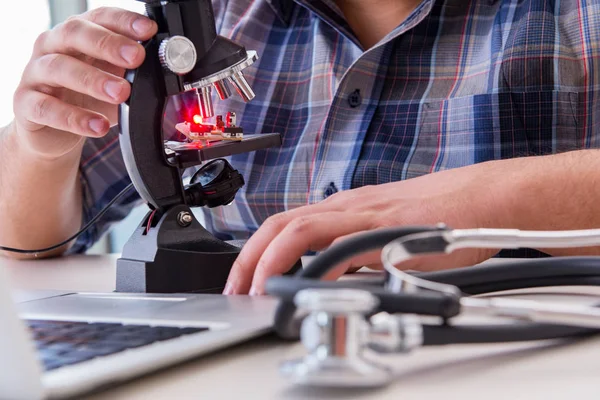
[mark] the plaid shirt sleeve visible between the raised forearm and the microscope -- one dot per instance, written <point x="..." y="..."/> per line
<point x="103" y="176"/>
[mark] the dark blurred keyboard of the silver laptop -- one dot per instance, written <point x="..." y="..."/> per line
<point x="61" y="343"/>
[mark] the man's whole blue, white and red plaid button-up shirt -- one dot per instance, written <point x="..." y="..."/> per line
<point x="458" y="82"/>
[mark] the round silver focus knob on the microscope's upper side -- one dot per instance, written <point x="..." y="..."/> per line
<point x="177" y="54"/>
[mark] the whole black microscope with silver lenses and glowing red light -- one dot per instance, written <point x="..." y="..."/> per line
<point x="170" y="251"/>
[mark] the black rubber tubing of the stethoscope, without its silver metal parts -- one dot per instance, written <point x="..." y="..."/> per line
<point x="528" y="273"/>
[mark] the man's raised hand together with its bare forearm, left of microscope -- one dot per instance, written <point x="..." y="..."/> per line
<point x="70" y="90"/>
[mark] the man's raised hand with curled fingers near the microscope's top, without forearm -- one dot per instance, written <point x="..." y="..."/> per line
<point x="73" y="83"/>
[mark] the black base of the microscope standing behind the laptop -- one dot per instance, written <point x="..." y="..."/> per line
<point x="172" y="257"/>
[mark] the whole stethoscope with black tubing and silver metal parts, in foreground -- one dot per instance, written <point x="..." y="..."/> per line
<point x="343" y="323"/>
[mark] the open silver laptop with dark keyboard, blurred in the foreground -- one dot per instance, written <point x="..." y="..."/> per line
<point x="66" y="344"/>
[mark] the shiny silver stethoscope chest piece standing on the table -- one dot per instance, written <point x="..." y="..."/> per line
<point x="337" y="335"/>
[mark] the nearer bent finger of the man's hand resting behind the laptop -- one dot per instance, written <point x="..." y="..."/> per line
<point x="311" y="232"/>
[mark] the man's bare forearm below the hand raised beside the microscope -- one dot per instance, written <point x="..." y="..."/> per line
<point x="40" y="199"/>
